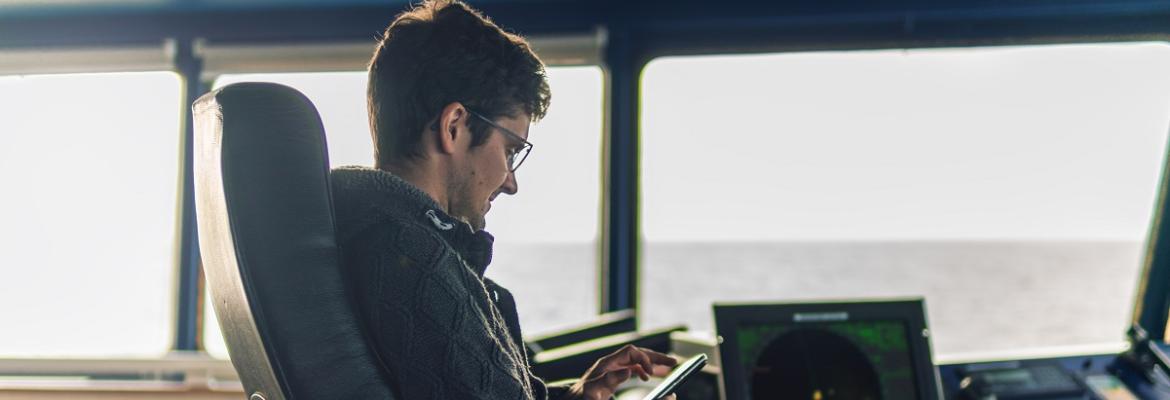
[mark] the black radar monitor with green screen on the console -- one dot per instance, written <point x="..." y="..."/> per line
<point x="827" y="350"/>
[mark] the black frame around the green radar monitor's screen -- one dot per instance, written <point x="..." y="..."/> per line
<point x="728" y="316"/>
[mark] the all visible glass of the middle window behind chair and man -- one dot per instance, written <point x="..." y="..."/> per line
<point x="546" y="236"/>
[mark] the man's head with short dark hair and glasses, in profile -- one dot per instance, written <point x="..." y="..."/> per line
<point x="438" y="68"/>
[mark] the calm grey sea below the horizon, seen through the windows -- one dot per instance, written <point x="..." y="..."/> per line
<point x="985" y="299"/>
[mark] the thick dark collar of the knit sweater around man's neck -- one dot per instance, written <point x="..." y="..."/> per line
<point x="362" y="195"/>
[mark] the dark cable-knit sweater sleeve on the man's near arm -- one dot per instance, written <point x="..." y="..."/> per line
<point x="429" y="321"/>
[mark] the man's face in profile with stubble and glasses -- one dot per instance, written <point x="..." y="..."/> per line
<point x="486" y="173"/>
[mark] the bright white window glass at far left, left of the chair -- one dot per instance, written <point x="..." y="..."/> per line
<point x="91" y="164"/>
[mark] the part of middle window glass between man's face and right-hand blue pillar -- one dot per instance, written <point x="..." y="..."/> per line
<point x="546" y="250"/>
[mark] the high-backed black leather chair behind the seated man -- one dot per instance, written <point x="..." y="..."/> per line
<point x="267" y="237"/>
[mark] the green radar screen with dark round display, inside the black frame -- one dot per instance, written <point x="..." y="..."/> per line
<point x="864" y="361"/>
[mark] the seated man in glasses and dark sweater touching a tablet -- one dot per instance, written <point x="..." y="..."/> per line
<point x="451" y="98"/>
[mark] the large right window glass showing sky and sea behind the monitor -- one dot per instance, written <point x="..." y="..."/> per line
<point x="1001" y="184"/>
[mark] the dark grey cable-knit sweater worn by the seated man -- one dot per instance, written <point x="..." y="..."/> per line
<point x="442" y="329"/>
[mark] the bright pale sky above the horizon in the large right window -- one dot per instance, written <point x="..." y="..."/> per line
<point x="1051" y="143"/>
